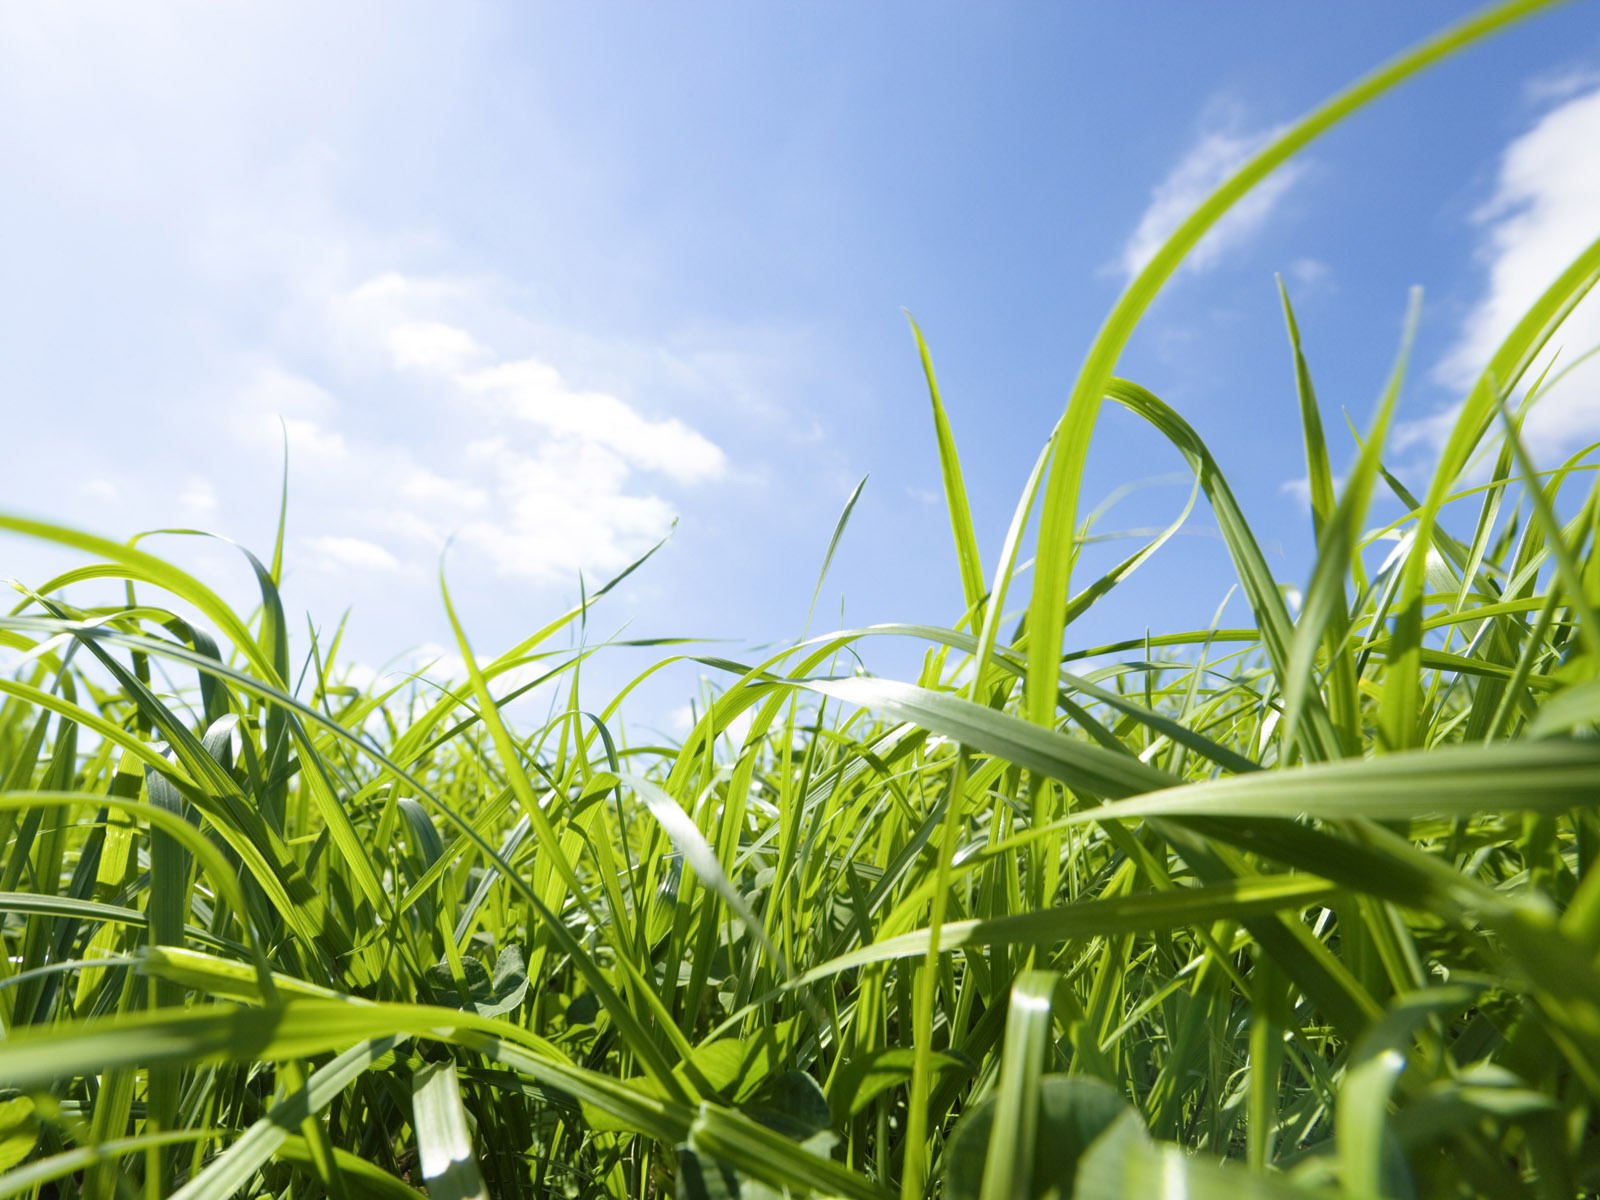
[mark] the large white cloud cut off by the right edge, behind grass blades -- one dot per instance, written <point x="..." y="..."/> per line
<point x="1545" y="210"/>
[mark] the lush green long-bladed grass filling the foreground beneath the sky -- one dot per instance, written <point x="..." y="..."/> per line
<point x="1318" y="897"/>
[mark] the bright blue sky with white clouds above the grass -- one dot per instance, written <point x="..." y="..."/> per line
<point x="543" y="278"/>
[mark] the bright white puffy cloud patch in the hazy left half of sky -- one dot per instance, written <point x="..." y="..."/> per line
<point x="542" y="478"/>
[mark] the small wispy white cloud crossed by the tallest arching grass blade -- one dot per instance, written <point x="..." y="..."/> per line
<point x="1207" y="164"/>
